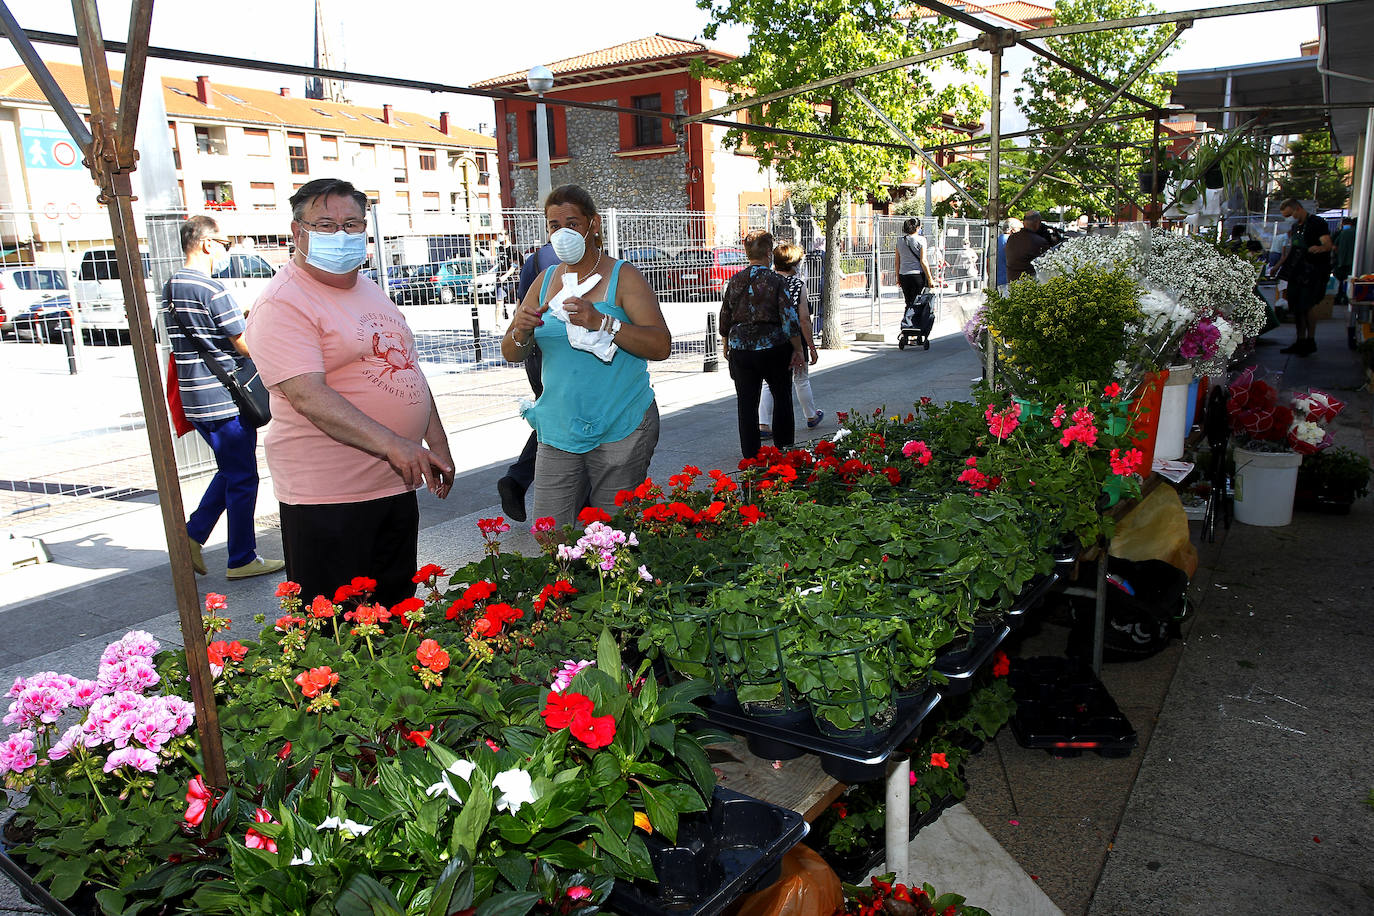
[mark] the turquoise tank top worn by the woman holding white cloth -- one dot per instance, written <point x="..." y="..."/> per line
<point x="587" y="403"/>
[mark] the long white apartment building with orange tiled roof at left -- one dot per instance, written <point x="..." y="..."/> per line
<point x="240" y="154"/>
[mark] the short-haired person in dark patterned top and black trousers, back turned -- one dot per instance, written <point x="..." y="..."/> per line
<point x="762" y="339"/>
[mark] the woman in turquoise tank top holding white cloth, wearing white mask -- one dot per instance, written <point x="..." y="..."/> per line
<point x="597" y="420"/>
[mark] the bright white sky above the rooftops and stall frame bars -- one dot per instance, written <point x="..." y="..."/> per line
<point x="461" y="43"/>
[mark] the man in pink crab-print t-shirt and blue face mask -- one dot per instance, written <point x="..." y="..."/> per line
<point x="352" y="411"/>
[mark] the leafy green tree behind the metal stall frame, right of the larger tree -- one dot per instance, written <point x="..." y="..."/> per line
<point x="1103" y="165"/>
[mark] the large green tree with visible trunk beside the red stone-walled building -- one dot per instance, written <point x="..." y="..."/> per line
<point x="798" y="42"/>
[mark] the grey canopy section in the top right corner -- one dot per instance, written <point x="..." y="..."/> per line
<point x="1349" y="68"/>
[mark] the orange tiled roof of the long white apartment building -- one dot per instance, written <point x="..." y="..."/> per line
<point x="256" y="106"/>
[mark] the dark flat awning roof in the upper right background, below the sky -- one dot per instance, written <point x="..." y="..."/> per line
<point x="1273" y="83"/>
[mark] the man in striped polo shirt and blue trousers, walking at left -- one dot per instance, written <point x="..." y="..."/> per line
<point x="210" y="312"/>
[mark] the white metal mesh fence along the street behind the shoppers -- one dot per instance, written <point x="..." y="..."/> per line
<point x="71" y="417"/>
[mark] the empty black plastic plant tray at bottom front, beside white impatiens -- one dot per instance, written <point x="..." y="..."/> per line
<point x="719" y="856"/>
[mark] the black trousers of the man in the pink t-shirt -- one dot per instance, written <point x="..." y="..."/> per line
<point x="328" y="546"/>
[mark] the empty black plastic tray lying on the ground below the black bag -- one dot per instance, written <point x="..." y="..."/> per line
<point x="1064" y="709"/>
